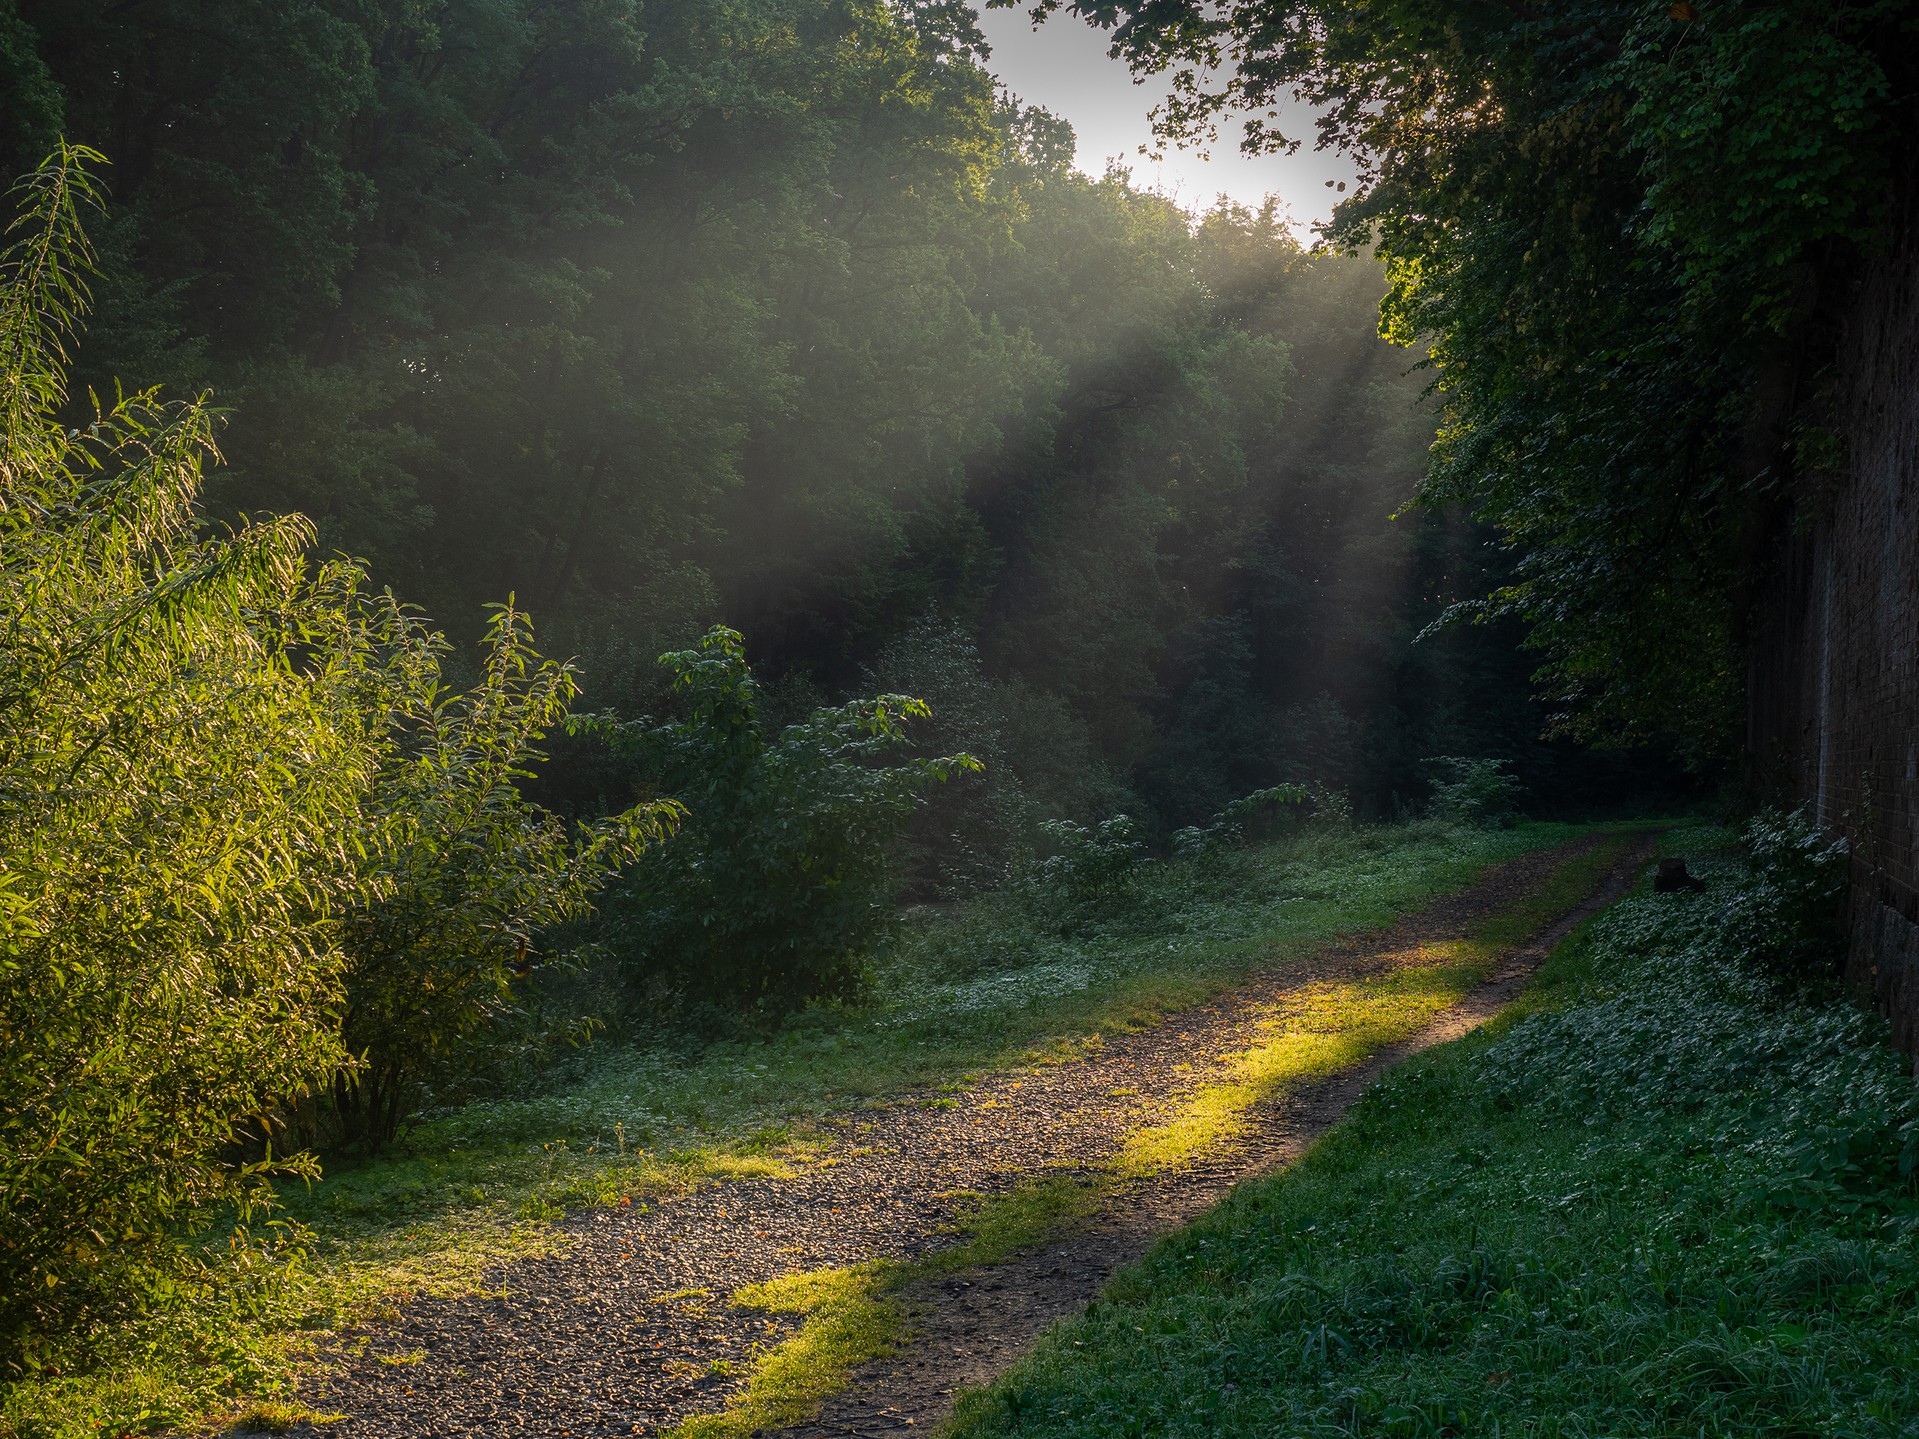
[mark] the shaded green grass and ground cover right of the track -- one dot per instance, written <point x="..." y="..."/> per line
<point x="1674" y="1200"/>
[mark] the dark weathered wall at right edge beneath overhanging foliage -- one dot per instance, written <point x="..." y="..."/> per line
<point x="1834" y="701"/>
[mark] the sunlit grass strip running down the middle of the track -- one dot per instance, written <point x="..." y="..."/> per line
<point x="855" y="1315"/>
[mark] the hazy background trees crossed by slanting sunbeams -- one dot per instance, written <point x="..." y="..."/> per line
<point x="780" y="314"/>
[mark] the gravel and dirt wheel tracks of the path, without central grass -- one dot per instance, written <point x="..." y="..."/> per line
<point x="630" y="1329"/>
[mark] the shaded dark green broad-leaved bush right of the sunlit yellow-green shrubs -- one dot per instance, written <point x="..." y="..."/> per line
<point x="784" y="874"/>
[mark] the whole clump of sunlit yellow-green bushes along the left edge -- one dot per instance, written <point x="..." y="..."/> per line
<point x="250" y="851"/>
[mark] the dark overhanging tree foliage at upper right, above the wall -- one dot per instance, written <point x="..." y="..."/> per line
<point x="1619" y="227"/>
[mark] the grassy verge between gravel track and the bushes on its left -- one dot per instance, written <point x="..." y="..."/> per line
<point x="960" y="995"/>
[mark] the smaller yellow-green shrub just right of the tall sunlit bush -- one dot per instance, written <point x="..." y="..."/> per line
<point x="462" y="876"/>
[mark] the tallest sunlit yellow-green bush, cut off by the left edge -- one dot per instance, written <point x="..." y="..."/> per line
<point x="178" y="793"/>
